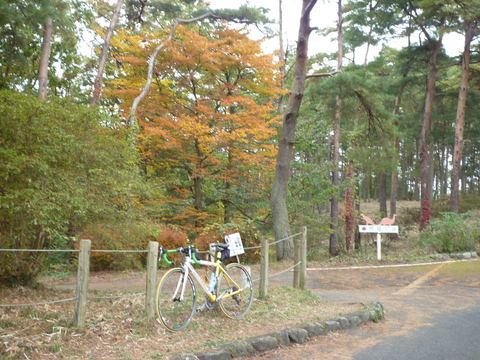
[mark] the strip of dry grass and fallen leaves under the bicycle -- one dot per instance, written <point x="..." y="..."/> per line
<point x="119" y="329"/>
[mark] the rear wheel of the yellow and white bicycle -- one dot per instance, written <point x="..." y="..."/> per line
<point x="236" y="278"/>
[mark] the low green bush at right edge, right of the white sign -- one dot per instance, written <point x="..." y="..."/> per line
<point x="453" y="232"/>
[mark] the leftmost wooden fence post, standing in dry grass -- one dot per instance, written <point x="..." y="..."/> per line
<point x="82" y="283"/>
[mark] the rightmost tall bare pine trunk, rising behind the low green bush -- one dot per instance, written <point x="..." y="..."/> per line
<point x="460" y="120"/>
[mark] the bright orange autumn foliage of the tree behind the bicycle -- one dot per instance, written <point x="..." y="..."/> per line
<point x="208" y="122"/>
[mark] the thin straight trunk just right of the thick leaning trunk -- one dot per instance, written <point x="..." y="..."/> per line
<point x="336" y="142"/>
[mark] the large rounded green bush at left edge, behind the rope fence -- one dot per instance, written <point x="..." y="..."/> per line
<point x="62" y="166"/>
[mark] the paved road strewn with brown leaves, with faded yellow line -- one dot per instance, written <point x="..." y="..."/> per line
<point x="433" y="312"/>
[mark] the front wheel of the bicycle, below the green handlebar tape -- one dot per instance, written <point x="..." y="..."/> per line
<point x="175" y="299"/>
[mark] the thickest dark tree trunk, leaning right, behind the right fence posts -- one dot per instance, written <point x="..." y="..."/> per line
<point x="281" y="223"/>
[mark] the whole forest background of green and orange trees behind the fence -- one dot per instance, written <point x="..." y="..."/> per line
<point x="175" y="130"/>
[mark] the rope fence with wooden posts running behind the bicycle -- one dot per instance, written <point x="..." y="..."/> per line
<point x="84" y="268"/>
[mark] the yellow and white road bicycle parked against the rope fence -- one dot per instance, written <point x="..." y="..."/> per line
<point x="176" y="297"/>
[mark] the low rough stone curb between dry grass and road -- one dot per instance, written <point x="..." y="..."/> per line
<point x="286" y="337"/>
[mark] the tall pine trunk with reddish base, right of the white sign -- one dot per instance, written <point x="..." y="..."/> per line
<point x="425" y="185"/>
